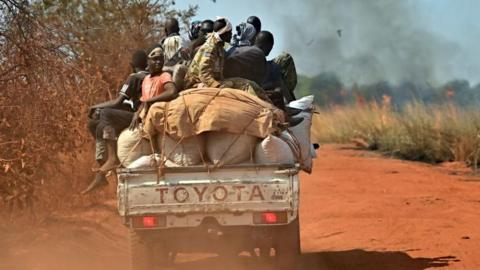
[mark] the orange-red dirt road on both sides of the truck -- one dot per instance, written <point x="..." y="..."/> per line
<point x="358" y="211"/>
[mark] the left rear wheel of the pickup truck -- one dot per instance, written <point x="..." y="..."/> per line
<point x="141" y="252"/>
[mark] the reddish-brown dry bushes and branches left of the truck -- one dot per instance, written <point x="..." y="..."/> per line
<point x="56" y="59"/>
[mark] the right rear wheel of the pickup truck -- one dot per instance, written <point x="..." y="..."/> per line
<point x="287" y="249"/>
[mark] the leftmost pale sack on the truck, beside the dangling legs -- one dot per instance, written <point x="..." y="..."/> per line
<point x="131" y="145"/>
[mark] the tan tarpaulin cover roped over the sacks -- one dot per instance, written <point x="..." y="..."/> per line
<point x="211" y="109"/>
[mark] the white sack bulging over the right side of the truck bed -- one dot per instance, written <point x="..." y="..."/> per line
<point x="302" y="131"/>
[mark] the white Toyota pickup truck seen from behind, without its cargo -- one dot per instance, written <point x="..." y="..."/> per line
<point x="236" y="208"/>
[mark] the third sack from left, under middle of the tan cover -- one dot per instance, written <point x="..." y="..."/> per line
<point x="225" y="148"/>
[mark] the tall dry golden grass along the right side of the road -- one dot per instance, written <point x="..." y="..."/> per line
<point x="431" y="133"/>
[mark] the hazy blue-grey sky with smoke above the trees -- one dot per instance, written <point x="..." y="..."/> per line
<point x="430" y="40"/>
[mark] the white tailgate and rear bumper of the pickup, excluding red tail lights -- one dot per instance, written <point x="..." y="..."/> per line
<point x="187" y="195"/>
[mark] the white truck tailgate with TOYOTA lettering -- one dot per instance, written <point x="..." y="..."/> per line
<point x="224" y="190"/>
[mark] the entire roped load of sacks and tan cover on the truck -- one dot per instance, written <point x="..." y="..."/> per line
<point x="216" y="127"/>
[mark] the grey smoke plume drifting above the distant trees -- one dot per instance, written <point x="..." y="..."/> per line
<point x="365" y="41"/>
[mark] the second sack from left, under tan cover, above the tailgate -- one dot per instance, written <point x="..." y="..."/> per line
<point x="188" y="152"/>
